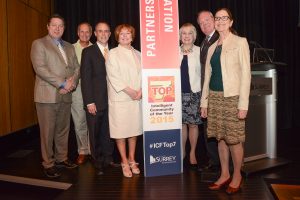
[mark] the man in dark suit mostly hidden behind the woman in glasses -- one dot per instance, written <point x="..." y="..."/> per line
<point x="207" y="26"/>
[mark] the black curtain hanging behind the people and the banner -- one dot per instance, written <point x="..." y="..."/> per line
<point x="272" y="24"/>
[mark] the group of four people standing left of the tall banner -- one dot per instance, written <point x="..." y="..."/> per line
<point x="85" y="80"/>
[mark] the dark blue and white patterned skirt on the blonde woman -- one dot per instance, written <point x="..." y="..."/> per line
<point x="190" y="108"/>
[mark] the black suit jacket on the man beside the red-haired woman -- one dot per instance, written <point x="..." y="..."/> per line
<point x="93" y="77"/>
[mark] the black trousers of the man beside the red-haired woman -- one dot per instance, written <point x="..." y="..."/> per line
<point x="100" y="143"/>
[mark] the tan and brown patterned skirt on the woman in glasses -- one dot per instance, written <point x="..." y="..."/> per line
<point x="222" y="120"/>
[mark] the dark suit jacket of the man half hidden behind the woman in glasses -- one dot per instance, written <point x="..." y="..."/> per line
<point x="203" y="53"/>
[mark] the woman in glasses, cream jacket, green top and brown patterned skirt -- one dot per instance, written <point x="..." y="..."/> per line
<point x="225" y="98"/>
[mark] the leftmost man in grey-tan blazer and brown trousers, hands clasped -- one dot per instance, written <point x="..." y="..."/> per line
<point x="57" y="72"/>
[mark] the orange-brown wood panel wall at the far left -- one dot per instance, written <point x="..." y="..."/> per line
<point x="25" y="20"/>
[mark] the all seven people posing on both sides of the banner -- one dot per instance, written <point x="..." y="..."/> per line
<point x="101" y="87"/>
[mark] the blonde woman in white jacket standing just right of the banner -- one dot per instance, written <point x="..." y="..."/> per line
<point x="190" y="87"/>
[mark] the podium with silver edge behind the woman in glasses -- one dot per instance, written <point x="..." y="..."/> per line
<point x="261" y="125"/>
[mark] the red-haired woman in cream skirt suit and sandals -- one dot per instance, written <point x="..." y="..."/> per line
<point x="124" y="97"/>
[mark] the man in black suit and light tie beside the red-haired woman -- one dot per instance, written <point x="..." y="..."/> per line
<point x="94" y="93"/>
